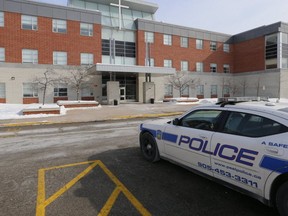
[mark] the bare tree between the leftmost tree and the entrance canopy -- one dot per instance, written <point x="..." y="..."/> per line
<point x="77" y="76"/>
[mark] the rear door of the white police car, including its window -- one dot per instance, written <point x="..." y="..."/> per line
<point x="239" y="150"/>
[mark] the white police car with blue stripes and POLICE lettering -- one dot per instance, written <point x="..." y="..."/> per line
<point x="243" y="145"/>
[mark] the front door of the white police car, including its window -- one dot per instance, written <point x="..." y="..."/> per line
<point x="188" y="140"/>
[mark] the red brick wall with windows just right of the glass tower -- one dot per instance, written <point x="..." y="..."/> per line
<point x="176" y="53"/>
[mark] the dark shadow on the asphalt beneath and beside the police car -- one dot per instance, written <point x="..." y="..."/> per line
<point x="162" y="188"/>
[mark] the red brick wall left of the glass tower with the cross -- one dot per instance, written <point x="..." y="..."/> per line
<point x="14" y="39"/>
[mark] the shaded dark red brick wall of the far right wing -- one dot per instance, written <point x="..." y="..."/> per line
<point x="249" y="55"/>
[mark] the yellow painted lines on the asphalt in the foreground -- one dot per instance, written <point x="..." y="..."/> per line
<point x="42" y="202"/>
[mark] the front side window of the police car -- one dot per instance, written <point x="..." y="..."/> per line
<point x="201" y="119"/>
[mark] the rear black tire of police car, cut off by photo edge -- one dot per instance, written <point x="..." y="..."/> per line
<point x="282" y="199"/>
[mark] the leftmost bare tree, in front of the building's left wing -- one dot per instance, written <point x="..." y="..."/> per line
<point x="47" y="79"/>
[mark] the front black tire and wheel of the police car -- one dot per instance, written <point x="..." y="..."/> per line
<point x="149" y="147"/>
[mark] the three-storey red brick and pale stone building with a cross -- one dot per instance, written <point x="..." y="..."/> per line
<point x="130" y="56"/>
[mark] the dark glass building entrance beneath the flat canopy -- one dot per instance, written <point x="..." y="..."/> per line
<point x="127" y="84"/>
